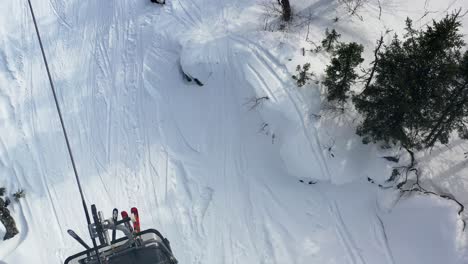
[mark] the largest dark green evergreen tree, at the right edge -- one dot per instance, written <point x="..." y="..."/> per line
<point x="420" y="94"/>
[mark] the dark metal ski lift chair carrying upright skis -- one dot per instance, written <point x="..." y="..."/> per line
<point x="145" y="247"/>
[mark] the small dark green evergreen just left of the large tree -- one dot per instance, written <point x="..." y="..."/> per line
<point x="340" y="74"/>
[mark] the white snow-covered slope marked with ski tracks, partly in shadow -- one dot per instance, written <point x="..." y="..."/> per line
<point x="219" y="176"/>
